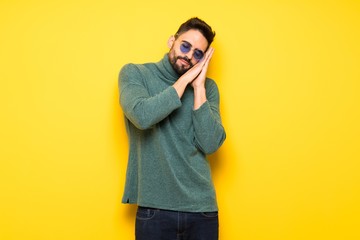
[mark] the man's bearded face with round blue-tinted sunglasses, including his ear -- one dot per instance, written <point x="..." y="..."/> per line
<point x="187" y="50"/>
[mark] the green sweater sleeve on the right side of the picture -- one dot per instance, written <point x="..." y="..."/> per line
<point x="209" y="132"/>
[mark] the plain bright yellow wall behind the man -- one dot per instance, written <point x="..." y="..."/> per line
<point x="288" y="73"/>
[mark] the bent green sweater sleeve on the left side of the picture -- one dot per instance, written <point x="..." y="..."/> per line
<point x="142" y="109"/>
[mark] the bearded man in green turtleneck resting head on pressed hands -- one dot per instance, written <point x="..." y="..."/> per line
<point x="173" y="122"/>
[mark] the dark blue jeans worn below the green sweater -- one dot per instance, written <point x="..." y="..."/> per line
<point x="157" y="224"/>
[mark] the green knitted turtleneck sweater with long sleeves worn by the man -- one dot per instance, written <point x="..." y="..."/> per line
<point x="168" y="140"/>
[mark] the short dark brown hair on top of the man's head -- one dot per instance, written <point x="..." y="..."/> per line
<point x="197" y="24"/>
